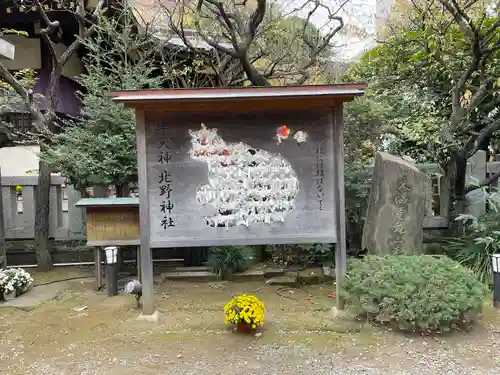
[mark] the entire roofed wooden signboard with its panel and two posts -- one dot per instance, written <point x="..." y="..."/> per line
<point x="240" y="166"/>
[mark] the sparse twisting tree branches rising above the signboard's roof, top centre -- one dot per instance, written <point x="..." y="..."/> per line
<point x="269" y="43"/>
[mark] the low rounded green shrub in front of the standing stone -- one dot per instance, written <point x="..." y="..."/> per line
<point x="413" y="293"/>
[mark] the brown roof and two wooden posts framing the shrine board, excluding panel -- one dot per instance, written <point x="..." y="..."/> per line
<point x="233" y="100"/>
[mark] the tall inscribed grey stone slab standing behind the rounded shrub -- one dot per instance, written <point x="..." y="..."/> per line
<point x="396" y="207"/>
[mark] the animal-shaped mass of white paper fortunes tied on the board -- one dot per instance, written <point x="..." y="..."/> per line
<point x="246" y="185"/>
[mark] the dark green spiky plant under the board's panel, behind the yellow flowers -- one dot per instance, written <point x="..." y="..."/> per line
<point x="225" y="260"/>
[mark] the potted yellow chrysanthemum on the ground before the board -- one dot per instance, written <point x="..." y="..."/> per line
<point x="246" y="312"/>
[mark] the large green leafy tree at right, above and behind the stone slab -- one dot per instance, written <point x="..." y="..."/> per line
<point x="438" y="77"/>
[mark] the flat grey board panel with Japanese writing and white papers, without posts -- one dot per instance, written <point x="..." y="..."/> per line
<point x="234" y="179"/>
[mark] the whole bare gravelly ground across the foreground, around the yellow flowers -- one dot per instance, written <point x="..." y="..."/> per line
<point x="84" y="333"/>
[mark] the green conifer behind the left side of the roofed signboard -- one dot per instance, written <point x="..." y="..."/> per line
<point x="100" y="148"/>
